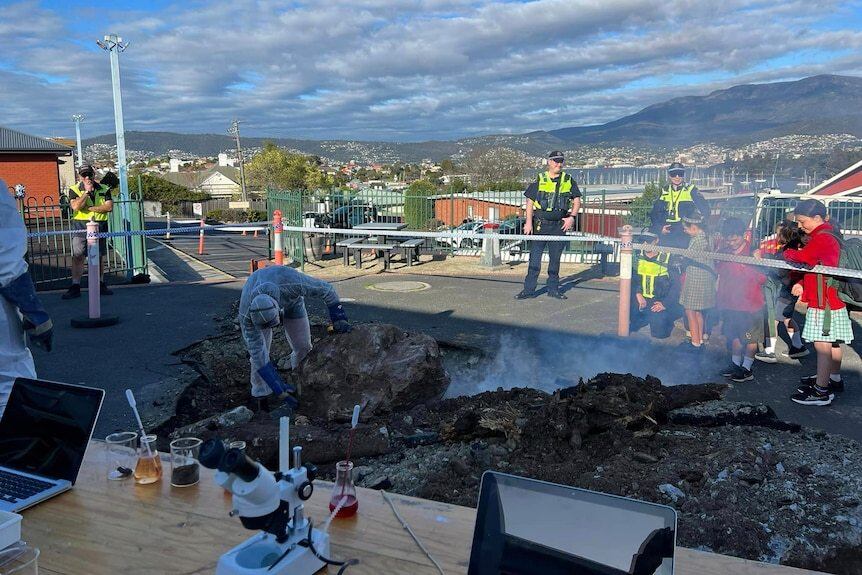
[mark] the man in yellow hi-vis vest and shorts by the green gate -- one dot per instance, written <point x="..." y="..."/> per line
<point x="88" y="200"/>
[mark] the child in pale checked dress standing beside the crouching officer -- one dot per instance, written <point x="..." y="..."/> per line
<point x="698" y="289"/>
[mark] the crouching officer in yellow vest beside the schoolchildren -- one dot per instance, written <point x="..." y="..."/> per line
<point x="655" y="299"/>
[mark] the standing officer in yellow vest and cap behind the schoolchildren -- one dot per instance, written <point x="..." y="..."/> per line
<point x="677" y="199"/>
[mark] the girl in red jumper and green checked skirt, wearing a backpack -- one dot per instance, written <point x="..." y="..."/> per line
<point x="827" y="323"/>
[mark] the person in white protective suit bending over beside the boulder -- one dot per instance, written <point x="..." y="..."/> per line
<point x="275" y="295"/>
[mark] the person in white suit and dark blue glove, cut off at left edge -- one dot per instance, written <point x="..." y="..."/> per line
<point x="21" y="313"/>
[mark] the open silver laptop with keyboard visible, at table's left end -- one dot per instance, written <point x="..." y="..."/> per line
<point x="44" y="434"/>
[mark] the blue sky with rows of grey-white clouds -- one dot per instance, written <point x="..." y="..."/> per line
<point x="400" y="70"/>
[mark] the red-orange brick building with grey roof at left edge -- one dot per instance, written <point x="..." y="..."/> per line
<point x="33" y="162"/>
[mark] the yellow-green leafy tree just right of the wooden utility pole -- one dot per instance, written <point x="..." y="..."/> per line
<point x="274" y="168"/>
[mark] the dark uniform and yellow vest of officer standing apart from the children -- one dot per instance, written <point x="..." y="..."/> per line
<point x="551" y="198"/>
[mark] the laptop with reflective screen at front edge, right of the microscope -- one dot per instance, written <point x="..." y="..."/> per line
<point x="526" y="526"/>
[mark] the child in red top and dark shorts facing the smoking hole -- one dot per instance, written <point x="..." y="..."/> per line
<point x="740" y="298"/>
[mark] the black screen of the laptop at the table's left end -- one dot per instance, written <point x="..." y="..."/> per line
<point x="46" y="427"/>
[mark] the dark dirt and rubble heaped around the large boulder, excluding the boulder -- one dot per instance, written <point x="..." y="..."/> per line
<point x="744" y="483"/>
